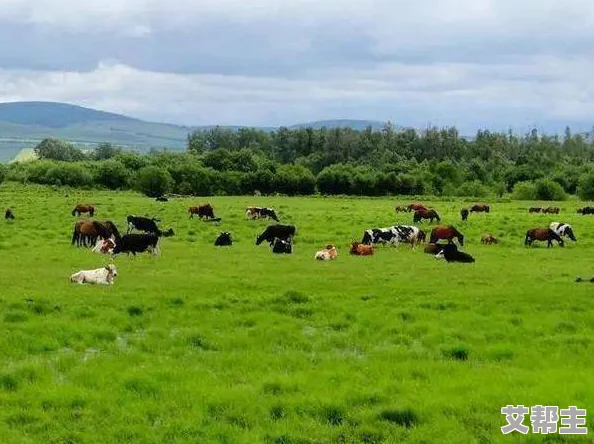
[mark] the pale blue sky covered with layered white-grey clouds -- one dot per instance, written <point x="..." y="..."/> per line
<point x="471" y="64"/>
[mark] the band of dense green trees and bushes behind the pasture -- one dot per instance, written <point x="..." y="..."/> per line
<point x="305" y="161"/>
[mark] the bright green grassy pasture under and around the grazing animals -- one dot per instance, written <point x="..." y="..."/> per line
<point x="237" y="345"/>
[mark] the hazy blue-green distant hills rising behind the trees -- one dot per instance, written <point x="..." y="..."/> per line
<point x="24" y="124"/>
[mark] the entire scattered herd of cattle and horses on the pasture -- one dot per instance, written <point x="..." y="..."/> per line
<point x="105" y="237"/>
